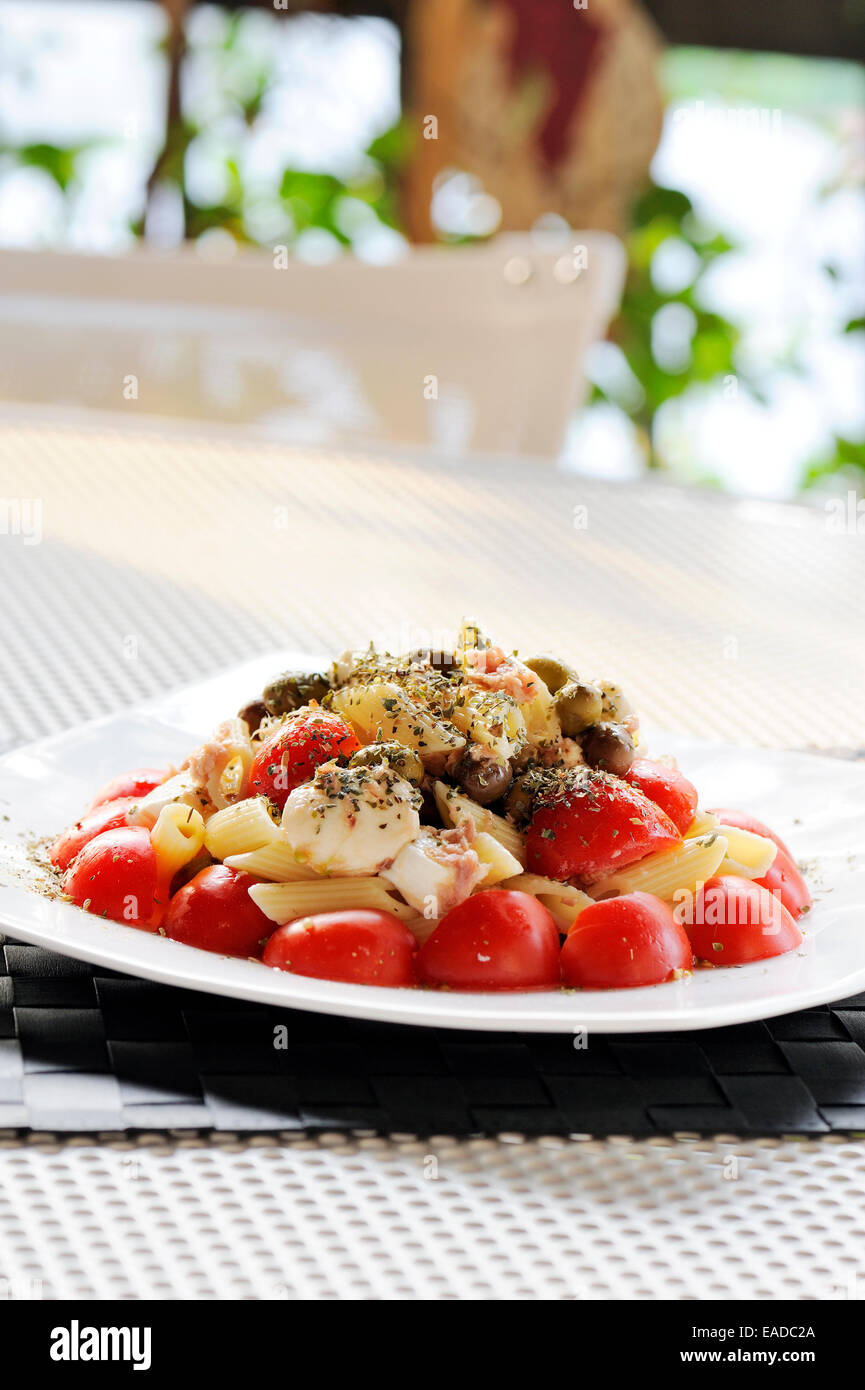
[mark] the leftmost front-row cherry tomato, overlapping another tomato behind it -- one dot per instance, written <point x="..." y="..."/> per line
<point x="115" y="876"/>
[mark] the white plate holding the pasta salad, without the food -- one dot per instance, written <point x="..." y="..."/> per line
<point x="817" y="804"/>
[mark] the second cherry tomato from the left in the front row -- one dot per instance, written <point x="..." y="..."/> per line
<point x="215" y="913"/>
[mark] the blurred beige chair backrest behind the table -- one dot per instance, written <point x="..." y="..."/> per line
<point x="450" y="348"/>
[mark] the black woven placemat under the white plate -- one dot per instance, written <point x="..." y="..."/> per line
<point x="84" y="1050"/>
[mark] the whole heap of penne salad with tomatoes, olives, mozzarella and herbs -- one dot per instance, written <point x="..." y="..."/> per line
<point x="465" y="821"/>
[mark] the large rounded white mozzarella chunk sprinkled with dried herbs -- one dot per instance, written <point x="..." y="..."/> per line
<point x="351" y="821"/>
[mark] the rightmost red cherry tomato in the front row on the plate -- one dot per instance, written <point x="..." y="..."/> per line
<point x="734" y="921"/>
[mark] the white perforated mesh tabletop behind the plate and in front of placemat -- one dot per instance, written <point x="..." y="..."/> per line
<point x="166" y="558"/>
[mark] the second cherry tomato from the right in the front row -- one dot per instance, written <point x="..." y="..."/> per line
<point x="624" y="943"/>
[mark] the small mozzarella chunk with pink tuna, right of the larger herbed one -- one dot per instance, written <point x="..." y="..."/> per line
<point x="437" y="871"/>
